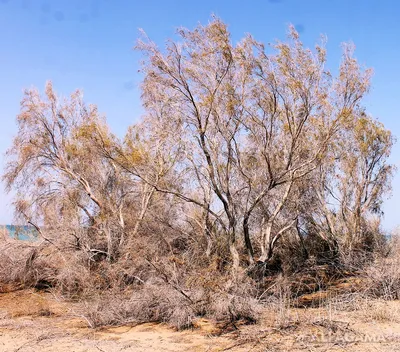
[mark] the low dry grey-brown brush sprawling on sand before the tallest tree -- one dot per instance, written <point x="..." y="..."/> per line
<point x="162" y="301"/>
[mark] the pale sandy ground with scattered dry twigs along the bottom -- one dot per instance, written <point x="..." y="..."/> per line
<point x="32" y="321"/>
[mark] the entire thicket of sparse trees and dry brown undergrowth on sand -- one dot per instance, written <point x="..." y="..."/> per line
<point x="254" y="178"/>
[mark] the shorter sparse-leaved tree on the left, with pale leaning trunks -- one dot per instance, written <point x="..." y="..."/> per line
<point x="65" y="184"/>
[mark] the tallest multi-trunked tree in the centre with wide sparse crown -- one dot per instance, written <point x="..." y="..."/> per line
<point x="250" y="124"/>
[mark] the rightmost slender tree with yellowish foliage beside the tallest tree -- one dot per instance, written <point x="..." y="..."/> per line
<point x="355" y="174"/>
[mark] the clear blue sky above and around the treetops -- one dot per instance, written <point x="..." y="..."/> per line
<point x="88" y="44"/>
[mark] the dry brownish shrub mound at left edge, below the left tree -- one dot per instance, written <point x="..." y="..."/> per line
<point x="42" y="266"/>
